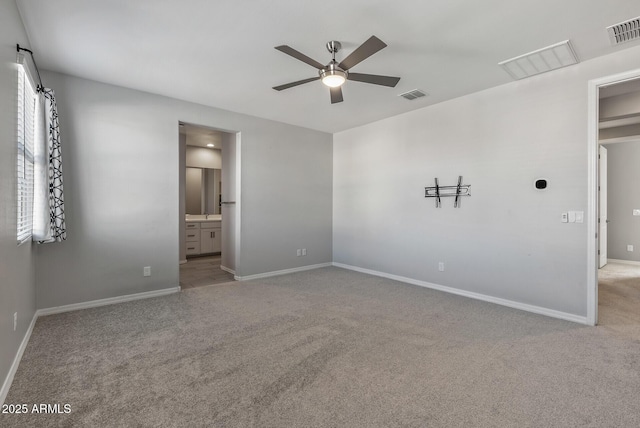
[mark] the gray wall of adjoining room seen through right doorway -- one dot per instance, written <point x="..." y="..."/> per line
<point x="623" y="175"/>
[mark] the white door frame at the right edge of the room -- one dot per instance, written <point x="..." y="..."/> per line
<point x="592" y="183"/>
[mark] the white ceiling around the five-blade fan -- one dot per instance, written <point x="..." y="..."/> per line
<point x="221" y="53"/>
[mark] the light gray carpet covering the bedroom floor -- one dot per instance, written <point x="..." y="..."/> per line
<point x="325" y="348"/>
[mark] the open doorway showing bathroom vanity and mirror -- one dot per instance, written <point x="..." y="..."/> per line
<point x="208" y="205"/>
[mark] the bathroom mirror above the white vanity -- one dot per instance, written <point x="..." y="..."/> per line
<point x="203" y="187"/>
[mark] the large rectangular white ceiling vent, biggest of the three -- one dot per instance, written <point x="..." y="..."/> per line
<point x="540" y="61"/>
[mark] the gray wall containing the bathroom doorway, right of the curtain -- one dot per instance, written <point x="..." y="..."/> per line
<point x="121" y="160"/>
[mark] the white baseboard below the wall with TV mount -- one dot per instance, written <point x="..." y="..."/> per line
<point x="504" y="302"/>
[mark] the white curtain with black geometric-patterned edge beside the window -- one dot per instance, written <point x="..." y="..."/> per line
<point x="48" y="203"/>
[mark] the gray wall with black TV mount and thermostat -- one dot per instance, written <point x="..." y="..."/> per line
<point x="506" y="241"/>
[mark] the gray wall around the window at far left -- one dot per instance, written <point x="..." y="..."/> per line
<point x="17" y="274"/>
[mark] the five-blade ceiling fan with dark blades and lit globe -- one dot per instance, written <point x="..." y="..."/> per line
<point x="335" y="74"/>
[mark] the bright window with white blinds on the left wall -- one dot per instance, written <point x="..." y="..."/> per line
<point x="26" y="131"/>
